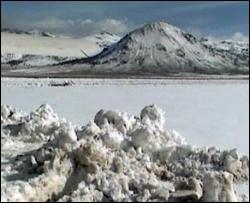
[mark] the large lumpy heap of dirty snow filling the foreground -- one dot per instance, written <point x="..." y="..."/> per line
<point x="116" y="157"/>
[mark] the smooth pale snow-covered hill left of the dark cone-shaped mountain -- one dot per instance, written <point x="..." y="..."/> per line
<point x="35" y="48"/>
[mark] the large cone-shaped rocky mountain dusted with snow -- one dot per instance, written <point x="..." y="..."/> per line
<point x="162" y="48"/>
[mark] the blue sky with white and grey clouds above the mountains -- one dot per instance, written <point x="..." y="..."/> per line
<point x="215" y="19"/>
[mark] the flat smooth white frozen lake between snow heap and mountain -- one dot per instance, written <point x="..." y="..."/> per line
<point x="206" y="113"/>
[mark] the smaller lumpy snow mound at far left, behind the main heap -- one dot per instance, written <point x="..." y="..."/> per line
<point x="41" y="124"/>
